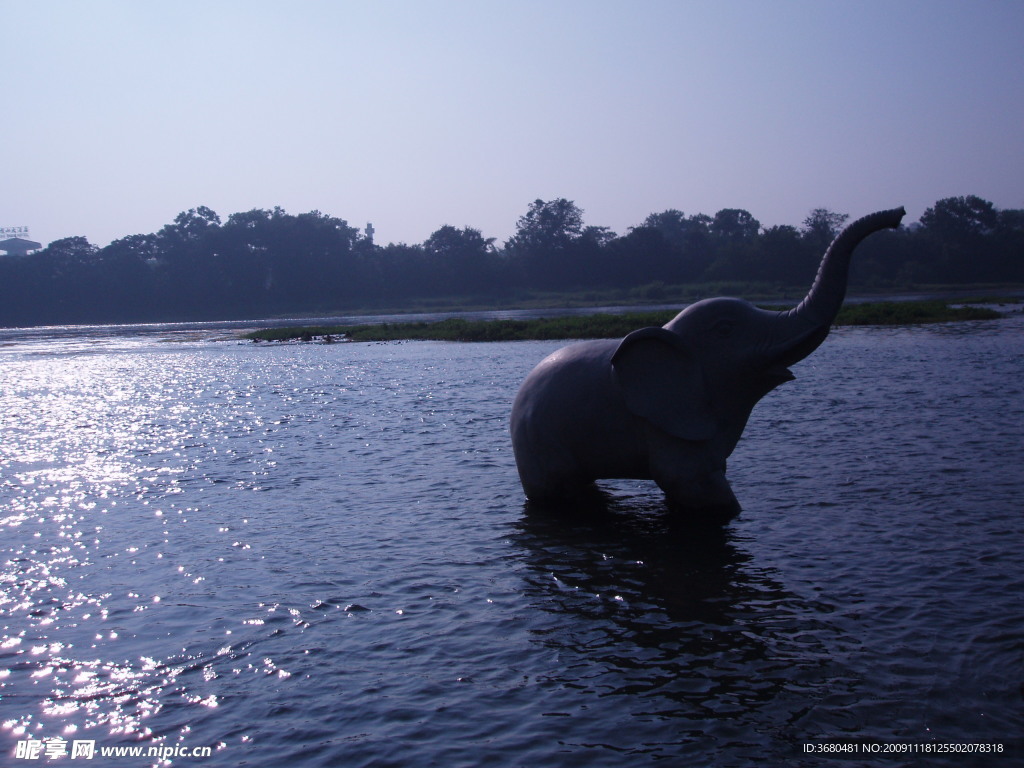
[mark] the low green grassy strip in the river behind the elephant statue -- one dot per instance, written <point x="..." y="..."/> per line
<point x="600" y="326"/>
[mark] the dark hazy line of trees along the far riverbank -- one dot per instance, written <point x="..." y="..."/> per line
<point x="269" y="263"/>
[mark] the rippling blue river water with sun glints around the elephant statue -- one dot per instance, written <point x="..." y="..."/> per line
<point x="321" y="556"/>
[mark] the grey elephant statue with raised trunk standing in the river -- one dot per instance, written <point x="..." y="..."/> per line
<point x="670" y="404"/>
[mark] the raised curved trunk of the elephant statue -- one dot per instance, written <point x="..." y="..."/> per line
<point x="808" y="323"/>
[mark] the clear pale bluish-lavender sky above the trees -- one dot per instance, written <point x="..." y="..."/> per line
<point x="116" y="116"/>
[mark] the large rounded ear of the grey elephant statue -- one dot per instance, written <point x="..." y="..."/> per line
<point x="663" y="383"/>
